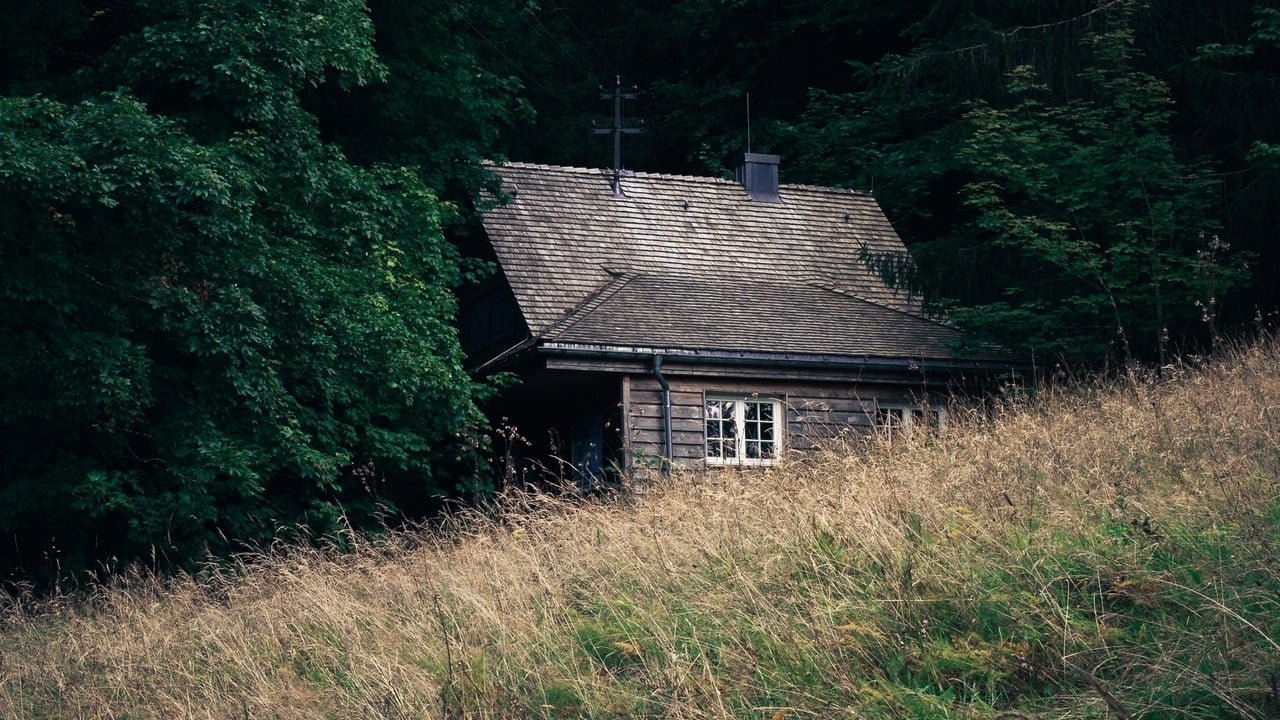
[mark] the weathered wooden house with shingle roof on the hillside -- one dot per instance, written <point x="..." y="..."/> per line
<point x="660" y="321"/>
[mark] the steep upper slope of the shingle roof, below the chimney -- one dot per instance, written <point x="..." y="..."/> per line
<point x="565" y="236"/>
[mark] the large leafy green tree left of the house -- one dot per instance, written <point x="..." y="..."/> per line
<point x="213" y="325"/>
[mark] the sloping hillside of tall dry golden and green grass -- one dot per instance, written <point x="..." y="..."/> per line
<point x="1090" y="554"/>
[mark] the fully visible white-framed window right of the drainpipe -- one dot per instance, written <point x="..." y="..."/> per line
<point x="743" y="430"/>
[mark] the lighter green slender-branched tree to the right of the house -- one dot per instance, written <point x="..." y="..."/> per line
<point x="1108" y="239"/>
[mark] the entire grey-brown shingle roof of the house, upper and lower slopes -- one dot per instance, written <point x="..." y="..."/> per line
<point x="691" y="262"/>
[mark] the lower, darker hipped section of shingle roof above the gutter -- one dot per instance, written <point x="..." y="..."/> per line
<point x="760" y="316"/>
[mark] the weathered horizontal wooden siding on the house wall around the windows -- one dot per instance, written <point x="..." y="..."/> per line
<point x="815" y="413"/>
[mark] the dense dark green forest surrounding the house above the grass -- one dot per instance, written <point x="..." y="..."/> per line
<point x="230" y="230"/>
